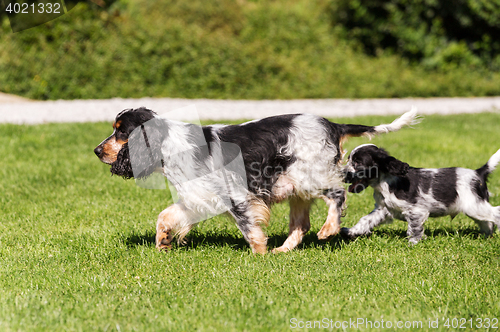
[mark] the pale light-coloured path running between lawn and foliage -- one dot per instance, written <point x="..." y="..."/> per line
<point x="18" y="110"/>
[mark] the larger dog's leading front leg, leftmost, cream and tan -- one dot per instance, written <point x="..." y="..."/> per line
<point x="169" y="220"/>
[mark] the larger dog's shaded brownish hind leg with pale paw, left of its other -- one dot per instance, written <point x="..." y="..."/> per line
<point x="299" y="224"/>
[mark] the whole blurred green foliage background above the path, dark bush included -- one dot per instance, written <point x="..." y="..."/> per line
<point x="258" y="50"/>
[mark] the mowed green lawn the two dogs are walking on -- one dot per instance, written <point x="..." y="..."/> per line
<point x="77" y="248"/>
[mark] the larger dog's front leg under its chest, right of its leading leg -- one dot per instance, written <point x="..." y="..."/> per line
<point x="248" y="217"/>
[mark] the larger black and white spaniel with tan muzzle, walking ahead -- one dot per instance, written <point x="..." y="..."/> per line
<point x="293" y="157"/>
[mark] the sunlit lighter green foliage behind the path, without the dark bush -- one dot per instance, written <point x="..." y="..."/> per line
<point x="215" y="49"/>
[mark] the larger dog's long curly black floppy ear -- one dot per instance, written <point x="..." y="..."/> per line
<point x="145" y="147"/>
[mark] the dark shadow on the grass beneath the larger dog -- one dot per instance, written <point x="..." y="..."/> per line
<point x="197" y="240"/>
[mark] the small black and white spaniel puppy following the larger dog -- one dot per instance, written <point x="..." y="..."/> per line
<point x="414" y="194"/>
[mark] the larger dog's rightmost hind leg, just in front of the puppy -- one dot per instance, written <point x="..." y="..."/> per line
<point x="335" y="199"/>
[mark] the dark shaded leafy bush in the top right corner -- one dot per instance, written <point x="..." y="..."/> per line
<point x="438" y="33"/>
